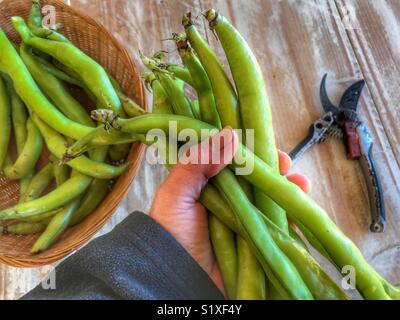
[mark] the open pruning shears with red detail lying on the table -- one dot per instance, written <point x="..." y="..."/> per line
<point x="343" y="122"/>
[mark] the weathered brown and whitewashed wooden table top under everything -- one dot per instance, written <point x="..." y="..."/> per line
<point x="296" y="42"/>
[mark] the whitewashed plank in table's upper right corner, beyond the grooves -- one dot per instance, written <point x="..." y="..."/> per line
<point x="373" y="32"/>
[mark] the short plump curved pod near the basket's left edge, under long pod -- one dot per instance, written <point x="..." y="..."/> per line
<point x="29" y="156"/>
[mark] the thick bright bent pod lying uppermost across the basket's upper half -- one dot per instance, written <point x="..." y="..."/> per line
<point x="92" y="74"/>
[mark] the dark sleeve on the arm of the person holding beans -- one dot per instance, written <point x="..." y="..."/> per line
<point x="137" y="260"/>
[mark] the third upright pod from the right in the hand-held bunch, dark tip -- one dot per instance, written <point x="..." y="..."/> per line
<point x="201" y="83"/>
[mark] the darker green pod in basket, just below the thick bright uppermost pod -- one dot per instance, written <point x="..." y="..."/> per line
<point x="55" y="89"/>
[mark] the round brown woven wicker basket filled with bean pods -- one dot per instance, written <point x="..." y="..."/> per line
<point x="97" y="42"/>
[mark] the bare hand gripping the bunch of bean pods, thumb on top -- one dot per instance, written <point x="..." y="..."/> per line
<point x="177" y="209"/>
